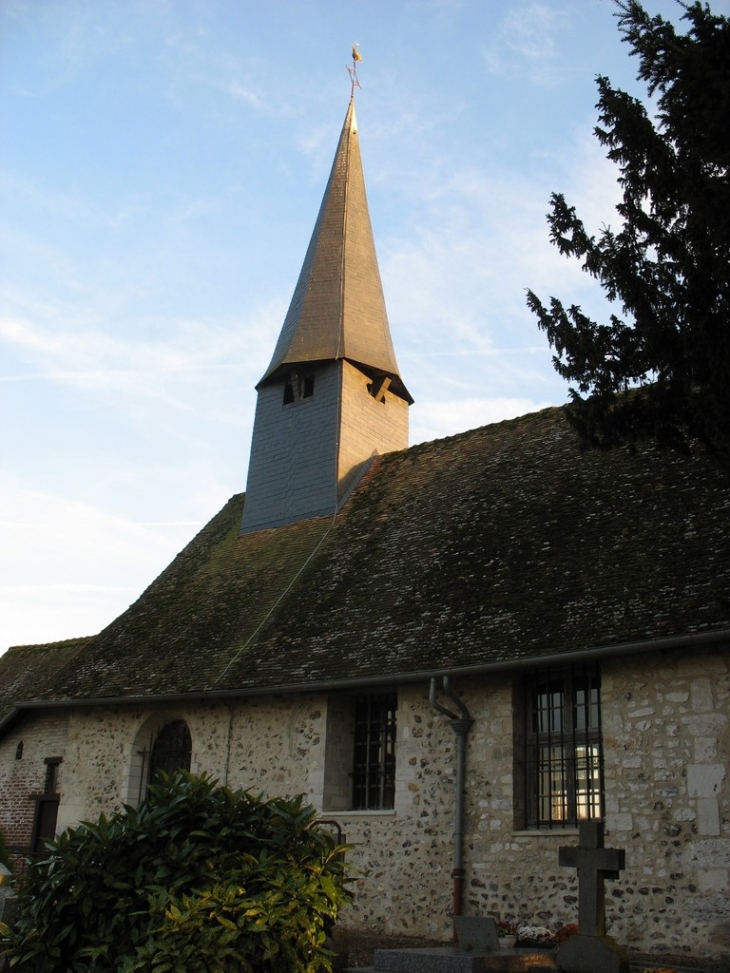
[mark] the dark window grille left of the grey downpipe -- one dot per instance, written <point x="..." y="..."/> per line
<point x="373" y="776"/>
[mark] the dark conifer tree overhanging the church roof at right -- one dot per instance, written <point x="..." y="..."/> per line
<point x="667" y="266"/>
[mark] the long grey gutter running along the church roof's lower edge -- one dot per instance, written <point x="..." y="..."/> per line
<point x="393" y="679"/>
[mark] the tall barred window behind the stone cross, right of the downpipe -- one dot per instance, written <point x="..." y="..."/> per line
<point x="564" y="754"/>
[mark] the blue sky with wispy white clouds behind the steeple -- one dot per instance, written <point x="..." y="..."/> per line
<point x="161" y="167"/>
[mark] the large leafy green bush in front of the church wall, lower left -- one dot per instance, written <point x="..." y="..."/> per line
<point x="197" y="878"/>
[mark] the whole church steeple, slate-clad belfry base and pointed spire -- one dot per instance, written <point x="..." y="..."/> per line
<point x="332" y="396"/>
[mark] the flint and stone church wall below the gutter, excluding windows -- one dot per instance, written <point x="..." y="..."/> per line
<point x="671" y="898"/>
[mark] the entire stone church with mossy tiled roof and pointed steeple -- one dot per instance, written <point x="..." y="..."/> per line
<point x="456" y="651"/>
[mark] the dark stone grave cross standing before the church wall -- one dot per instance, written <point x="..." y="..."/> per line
<point x="595" y="864"/>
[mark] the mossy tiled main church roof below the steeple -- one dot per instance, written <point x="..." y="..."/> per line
<point x="500" y="546"/>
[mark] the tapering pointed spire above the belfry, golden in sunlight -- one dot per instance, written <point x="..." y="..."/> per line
<point x="338" y="308"/>
